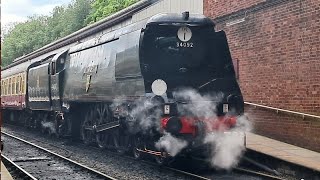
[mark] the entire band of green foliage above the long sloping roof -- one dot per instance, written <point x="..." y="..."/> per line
<point x="41" y="30"/>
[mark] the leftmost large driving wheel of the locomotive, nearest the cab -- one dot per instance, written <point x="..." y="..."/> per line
<point x="87" y="135"/>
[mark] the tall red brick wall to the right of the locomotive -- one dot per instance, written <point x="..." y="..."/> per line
<point x="278" y="49"/>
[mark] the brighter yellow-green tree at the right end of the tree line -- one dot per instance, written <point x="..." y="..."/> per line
<point x="104" y="8"/>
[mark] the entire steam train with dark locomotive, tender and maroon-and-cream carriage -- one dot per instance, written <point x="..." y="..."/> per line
<point x="129" y="88"/>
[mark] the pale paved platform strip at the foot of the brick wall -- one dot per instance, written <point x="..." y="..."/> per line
<point x="283" y="151"/>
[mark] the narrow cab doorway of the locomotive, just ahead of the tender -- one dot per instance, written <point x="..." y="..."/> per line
<point x="56" y="79"/>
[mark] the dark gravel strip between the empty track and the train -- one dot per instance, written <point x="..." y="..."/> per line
<point x="100" y="160"/>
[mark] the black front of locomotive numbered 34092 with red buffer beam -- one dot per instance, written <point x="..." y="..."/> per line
<point x="188" y="71"/>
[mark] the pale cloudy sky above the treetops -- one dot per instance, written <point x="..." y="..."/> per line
<point x="19" y="10"/>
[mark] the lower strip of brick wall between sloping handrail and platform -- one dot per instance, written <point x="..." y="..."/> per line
<point x="296" y="130"/>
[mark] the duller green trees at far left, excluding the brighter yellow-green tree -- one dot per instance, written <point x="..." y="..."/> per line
<point x="38" y="31"/>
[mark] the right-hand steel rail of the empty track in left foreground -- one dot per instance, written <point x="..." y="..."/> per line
<point x="62" y="157"/>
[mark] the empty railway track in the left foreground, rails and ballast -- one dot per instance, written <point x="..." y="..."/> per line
<point x="38" y="162"/>
